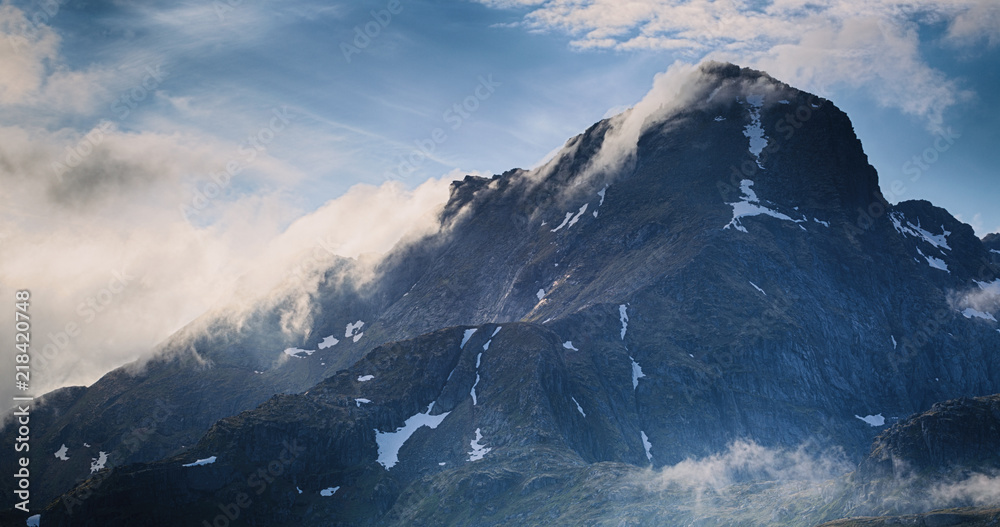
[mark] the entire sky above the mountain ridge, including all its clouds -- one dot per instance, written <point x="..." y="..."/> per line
<point x="156" y="99"/>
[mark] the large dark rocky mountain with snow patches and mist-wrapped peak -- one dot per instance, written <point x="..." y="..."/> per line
<point x="712" y="284"/>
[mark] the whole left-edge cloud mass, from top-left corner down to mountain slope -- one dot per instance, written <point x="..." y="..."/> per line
<point x="121" y="236"/>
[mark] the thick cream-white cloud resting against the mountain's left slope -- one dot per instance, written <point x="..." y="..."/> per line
<point x="105" y="249"/>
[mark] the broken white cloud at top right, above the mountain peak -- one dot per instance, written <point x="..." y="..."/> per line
<point x="816" y="45"/>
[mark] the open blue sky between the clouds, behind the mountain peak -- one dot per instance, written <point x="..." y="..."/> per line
<point x="226" y="62"/>
